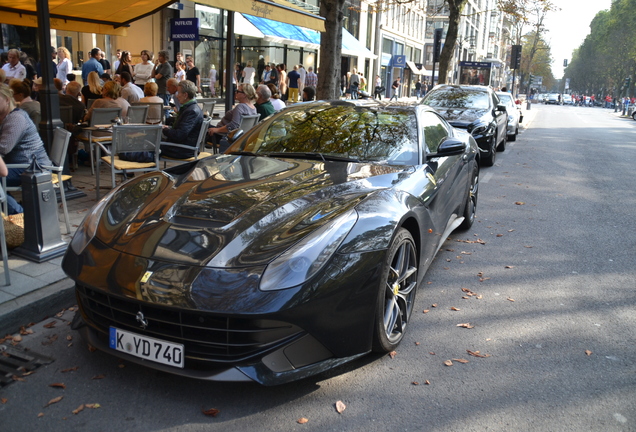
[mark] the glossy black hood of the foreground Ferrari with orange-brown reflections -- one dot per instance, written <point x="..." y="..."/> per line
<point x="234" y="211"/>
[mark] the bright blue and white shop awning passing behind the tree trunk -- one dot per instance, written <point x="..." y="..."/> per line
<point x="289" y="34"/>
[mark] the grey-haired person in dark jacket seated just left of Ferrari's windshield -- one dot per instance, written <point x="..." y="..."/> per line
<point x="184" y="130"/>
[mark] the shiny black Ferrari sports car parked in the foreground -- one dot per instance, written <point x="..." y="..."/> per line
<point x="300" y="248"/>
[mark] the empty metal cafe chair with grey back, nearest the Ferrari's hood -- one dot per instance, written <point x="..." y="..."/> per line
<point x="128" y="138"/>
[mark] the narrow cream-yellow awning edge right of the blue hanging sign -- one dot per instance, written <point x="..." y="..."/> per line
<point x="276" y="10"/>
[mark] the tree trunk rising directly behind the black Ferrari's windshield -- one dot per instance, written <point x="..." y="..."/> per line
<point x="330" y="49"/>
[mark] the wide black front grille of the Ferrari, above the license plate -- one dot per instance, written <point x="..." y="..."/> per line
<point x="204" y="335"/>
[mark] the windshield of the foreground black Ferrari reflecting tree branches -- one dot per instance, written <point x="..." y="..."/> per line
<point x="337" y="132"/>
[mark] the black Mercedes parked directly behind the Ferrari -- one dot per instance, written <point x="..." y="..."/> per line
<point x="476" y="109"/>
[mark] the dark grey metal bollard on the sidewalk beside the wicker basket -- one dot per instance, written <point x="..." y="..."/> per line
<point x="42" y="238"/>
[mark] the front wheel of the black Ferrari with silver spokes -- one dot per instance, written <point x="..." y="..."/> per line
<point x="398" y="287"/>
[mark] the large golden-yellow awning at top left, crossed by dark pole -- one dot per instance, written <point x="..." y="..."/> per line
<point x="88" y="16"/>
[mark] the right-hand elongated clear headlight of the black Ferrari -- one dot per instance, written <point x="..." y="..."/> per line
<point x="304" y="259"/>
